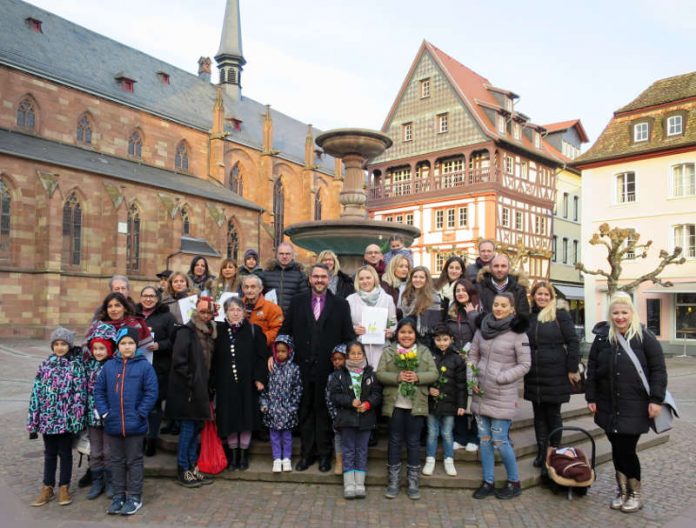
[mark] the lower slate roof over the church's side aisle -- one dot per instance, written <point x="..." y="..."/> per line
<point x="42" y="150"/>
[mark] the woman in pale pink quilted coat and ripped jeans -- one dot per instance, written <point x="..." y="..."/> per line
<point x="500" y="355"/>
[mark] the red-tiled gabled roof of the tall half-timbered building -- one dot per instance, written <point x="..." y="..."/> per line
<point x="476" y="93"/>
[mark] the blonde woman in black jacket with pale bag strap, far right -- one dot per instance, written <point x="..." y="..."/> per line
<point x="616" y="395"/>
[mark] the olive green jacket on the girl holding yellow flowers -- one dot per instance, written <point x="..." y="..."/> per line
<point x="388" y="376"/>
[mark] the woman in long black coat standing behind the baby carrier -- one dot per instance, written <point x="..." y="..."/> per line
<point x="555" y="356"/>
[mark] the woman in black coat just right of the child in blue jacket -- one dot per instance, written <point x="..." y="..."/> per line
<point x="161" y="323"/>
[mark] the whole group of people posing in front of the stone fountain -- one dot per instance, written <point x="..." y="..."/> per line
<point x="454" y="351"/>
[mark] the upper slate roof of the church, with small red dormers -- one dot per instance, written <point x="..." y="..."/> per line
<point x="75" y="56"/>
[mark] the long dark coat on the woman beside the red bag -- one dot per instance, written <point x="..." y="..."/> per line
<point x="188" y="380"/>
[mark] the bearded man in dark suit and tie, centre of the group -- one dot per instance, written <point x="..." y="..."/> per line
<point x="317" y="321"/>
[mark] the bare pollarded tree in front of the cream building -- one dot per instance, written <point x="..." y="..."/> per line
<point x="624" y="244"/>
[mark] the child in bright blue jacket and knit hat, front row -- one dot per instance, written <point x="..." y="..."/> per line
<point x="125" y="393"/>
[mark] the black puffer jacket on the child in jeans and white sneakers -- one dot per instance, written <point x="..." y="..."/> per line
<point x="453" y="393"/>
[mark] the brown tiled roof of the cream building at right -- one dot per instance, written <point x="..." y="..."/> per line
<point x="653" y="104"/>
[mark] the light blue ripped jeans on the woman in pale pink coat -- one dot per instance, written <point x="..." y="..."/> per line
<point x="493" y="433"/>
